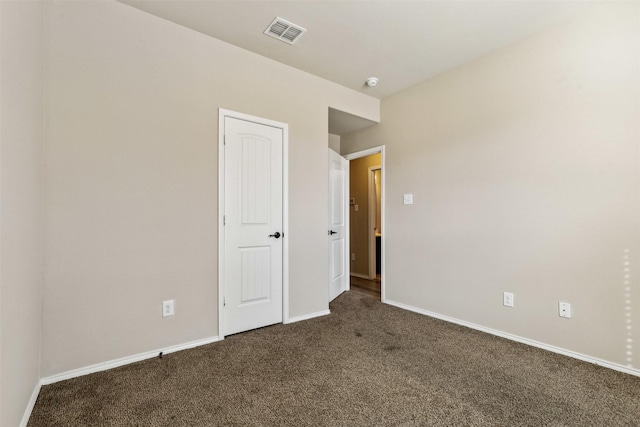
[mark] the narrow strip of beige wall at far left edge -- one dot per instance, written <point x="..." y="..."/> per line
<point x="21" y="193"/>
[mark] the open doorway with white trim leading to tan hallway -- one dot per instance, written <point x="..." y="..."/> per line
<point x="366" y="221"/>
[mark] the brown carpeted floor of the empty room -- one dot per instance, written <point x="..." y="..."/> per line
<point x="366" y="364"/>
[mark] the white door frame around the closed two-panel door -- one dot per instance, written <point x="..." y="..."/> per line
<point x="222" y="113"/>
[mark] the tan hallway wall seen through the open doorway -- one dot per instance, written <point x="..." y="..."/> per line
<point x="359" y="220"/>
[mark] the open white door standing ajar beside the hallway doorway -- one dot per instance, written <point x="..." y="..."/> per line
<point x="338" y="217"/>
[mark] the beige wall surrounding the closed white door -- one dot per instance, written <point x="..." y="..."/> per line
<point x="131" y="178"/>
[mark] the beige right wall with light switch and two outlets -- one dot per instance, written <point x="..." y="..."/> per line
<point x="525" y="171"/>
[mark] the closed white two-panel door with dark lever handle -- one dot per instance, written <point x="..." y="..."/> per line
<point x="253" y="225"/>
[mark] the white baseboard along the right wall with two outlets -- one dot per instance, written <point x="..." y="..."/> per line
<point x="533" y="343"/>
